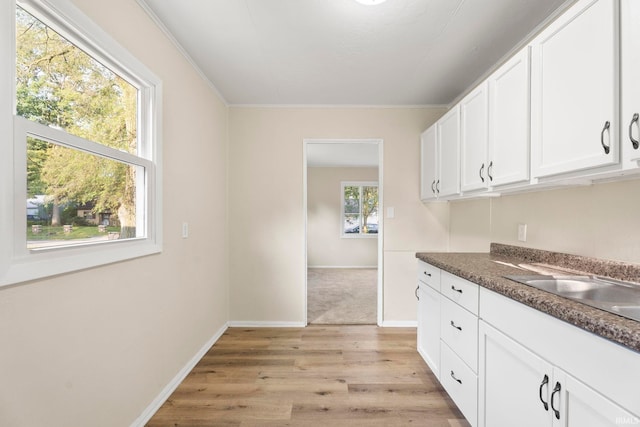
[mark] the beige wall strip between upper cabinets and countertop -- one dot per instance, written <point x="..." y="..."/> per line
<point x="600" y="220"/>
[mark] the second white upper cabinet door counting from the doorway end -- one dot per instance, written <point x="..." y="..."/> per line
<point x="448" y="135"/>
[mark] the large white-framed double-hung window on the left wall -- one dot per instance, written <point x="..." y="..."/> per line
<point x="83" y="173"/>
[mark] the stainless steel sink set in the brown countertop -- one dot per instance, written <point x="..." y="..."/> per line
<point x="622" y="298"/>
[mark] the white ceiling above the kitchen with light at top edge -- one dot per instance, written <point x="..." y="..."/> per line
<point x="339" y="52"/>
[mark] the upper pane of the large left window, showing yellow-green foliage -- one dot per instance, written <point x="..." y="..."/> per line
<point x="59" y="85"/>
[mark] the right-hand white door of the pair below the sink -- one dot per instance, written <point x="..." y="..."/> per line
<point x="580" y="406"/>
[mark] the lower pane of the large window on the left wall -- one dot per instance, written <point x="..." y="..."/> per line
<point x="76" y="197"/>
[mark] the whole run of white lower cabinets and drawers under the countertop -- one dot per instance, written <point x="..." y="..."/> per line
<point x="505" y="364"/>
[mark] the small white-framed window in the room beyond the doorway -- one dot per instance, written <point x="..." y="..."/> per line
<point x="359" y="209"/>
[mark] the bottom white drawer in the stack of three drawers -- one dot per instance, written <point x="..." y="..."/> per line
<point x="460" y="382"/>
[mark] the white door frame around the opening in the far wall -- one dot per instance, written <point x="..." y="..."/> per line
<point x="380" y="286"/>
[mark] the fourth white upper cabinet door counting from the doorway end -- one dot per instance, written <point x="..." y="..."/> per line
<point x="509" y="120"/>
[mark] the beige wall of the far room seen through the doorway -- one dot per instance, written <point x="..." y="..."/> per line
<point x="325" y="245"/>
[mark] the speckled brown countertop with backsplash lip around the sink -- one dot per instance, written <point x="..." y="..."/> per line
<point x="488" y="269"/>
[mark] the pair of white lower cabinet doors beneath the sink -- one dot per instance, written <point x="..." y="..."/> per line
<point x="518" y="387"/>
